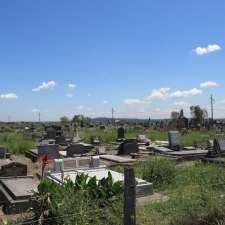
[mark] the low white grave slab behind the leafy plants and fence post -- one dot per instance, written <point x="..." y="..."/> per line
<point x="143" y="188"/>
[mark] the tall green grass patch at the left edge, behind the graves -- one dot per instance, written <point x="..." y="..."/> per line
<point x="15" y="143"/>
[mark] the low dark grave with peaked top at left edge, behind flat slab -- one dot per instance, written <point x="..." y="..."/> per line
<point x="9" y="168"/>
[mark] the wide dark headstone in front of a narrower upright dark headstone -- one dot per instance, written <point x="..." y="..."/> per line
<point x="128" y="146"/>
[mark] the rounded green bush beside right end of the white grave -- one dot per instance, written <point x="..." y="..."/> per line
<point x="160" y="171"/>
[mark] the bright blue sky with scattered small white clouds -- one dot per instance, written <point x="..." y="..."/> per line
<point x="144" y="58"/>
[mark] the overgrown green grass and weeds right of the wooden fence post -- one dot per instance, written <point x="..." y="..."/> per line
<point x="197" y="194"/>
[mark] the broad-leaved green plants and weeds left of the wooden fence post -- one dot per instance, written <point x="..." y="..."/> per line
<point x="85" y="201"/>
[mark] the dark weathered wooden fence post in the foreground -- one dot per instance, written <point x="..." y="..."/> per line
<point x="129" y="197"/>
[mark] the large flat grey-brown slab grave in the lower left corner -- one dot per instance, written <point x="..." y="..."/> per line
<point x="16" y="193"/>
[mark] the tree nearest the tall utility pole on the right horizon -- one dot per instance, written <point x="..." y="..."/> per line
<point x="199" y="115"/>
